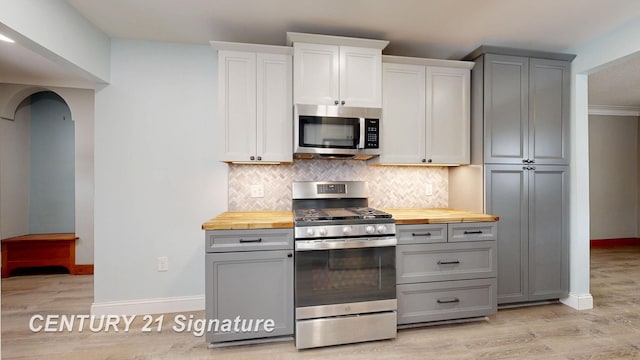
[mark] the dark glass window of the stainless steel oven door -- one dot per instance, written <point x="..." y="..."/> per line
<point x="345" y="275"/>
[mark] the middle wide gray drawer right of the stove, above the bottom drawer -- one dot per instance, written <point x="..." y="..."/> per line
<point x="447" y="261"/>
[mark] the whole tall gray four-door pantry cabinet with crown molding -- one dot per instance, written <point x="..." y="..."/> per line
<point x="520" y="132"/>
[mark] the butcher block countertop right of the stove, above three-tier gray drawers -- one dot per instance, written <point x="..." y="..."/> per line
<point x="437" y="215"/>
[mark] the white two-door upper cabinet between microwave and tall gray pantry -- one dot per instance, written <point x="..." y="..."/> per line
<point x="426" y="108"/>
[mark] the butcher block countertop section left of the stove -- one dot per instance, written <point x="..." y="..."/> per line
<point x="231" y="220"/>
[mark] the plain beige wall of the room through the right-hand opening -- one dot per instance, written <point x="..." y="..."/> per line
<point x="613" y="179"/>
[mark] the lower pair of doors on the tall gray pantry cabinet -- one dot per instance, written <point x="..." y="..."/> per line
<point x="533" y="253"/>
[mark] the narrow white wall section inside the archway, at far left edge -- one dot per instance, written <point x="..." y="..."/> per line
<point x="14" y="173"/>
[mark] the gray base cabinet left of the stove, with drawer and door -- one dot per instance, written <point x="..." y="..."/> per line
<point x="250" y="284"/>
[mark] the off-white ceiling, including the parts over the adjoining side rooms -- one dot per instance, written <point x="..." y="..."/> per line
<point x="446" y="29"/>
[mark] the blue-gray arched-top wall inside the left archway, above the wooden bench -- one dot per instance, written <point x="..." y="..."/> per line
<point x="51" y="185"/>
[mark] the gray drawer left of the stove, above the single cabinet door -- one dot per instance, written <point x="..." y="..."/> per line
<point x="249" y="240"/>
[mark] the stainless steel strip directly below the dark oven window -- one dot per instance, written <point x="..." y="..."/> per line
<point x="311" y="312"/>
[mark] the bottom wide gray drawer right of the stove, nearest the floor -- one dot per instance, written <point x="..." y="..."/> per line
<point x="446" y="300"/>
